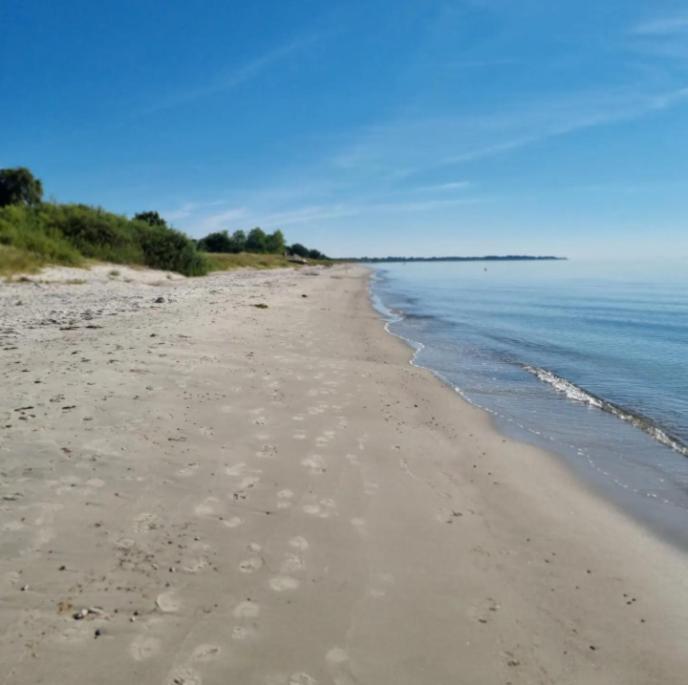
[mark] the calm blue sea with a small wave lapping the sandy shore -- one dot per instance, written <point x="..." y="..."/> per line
<point x="587" y="360"/>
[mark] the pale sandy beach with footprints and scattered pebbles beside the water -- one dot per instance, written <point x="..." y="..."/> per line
<point x="202" y="490"/>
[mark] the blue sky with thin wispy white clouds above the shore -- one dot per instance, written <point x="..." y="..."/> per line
<point x="369" y="127"/>
